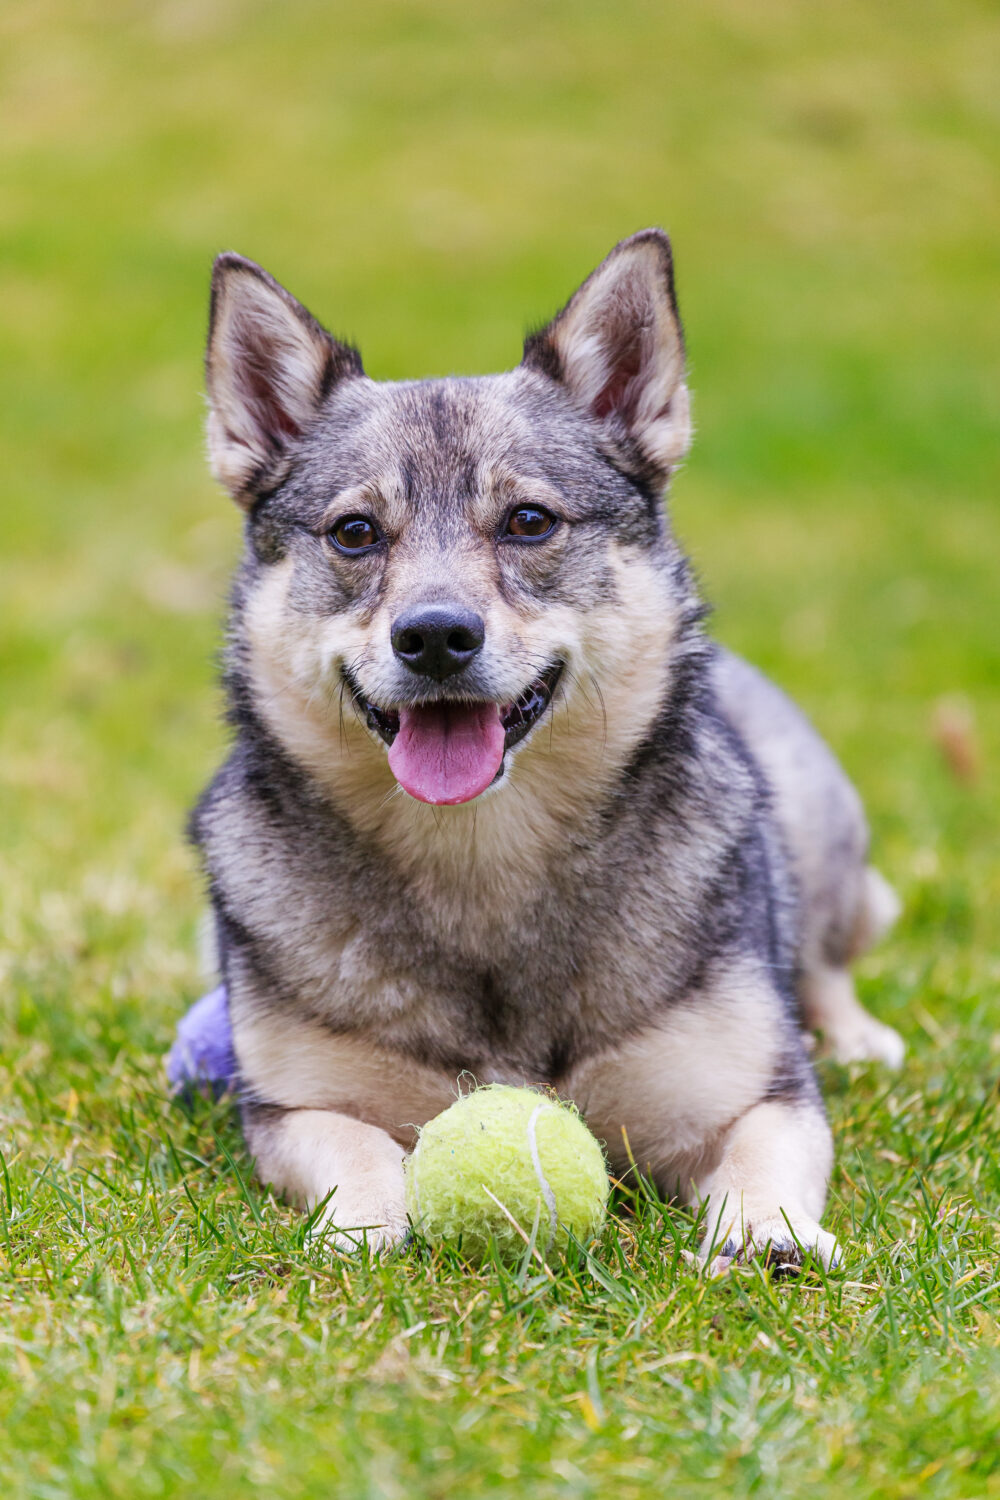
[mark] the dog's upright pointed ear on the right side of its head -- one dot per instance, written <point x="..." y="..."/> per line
<point x="618" y="349"/>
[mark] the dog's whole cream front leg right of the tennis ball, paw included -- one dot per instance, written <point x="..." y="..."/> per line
<point x="717" y="1105"/>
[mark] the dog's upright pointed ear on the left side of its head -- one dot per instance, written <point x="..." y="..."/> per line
<point x="269" y="367"/>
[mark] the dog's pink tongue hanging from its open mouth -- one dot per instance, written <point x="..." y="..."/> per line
<point x="448" y="752"/>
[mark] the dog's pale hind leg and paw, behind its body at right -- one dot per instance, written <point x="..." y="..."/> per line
<point x="827" y="991"/>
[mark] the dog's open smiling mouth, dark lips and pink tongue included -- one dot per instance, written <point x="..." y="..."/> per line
<point x="449" y="752"/>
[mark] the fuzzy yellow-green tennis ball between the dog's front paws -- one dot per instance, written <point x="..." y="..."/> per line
<point x="501" y="1156"/>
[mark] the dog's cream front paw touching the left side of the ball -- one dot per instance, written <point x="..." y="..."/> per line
<point x="307" y="1156"/>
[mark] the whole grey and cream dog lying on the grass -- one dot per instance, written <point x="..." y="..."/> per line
<point x="496" y="805"/>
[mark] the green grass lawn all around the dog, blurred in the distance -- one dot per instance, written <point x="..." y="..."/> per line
<point x="433" y="178"/>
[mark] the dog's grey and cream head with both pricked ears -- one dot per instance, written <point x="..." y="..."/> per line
<point x="440" y="568"/>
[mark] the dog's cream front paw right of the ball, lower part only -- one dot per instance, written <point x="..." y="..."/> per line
<point x="767" y="1186"/>
